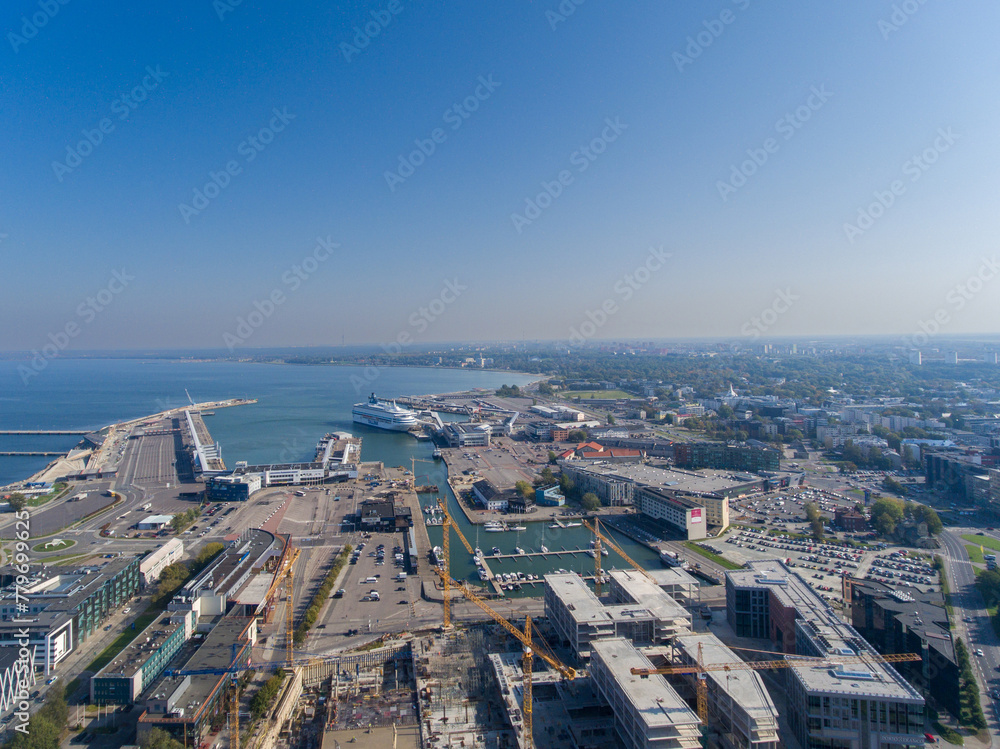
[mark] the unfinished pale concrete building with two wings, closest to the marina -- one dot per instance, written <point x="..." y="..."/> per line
<point x="640" y="611"/>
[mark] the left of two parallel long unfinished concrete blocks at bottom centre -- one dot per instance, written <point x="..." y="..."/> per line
<point x="649" y="714"/>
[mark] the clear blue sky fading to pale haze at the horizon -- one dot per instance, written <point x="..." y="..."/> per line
<point x="696" y="89"/>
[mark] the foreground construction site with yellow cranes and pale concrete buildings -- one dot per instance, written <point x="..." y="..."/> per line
<point x="631" y="662"/>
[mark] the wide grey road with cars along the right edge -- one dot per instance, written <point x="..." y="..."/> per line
<point x="971" y="621"/>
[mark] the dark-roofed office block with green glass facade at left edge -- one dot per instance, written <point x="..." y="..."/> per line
<point x="65" y="608"/>
